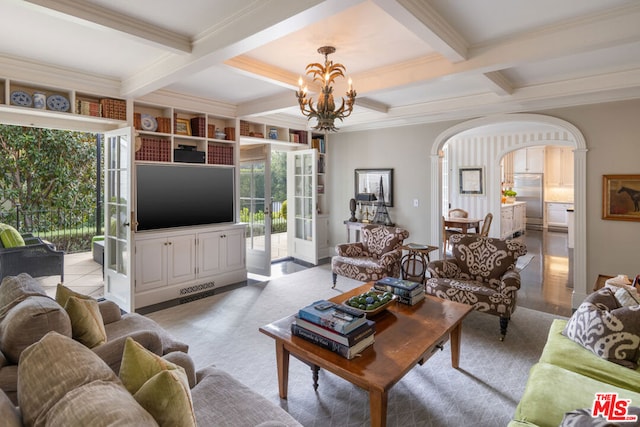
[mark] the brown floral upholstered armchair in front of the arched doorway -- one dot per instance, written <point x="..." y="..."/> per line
<point x="481" y="274"/>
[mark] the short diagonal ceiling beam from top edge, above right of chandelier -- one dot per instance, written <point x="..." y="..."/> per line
<point x="423" y="20"/>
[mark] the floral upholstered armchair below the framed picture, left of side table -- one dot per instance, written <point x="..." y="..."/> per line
<point x="376" y="256"/>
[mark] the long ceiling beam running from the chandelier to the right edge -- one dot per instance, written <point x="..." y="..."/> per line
<point x="614" y="28"/>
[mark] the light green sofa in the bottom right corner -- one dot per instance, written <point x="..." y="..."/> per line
<point x="566" y="378"/>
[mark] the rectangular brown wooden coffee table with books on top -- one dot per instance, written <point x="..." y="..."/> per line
<point x="405" y="336"/>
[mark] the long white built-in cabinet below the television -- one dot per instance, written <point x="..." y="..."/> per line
<point x="172" y="264"/>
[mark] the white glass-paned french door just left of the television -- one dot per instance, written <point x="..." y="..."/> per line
<point x="118" y="256"/>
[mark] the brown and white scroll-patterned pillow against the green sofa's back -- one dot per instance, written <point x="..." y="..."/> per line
<point x="606" y="329"/>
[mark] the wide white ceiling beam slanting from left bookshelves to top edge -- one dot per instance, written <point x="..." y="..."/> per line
<point x="255" y="26"/>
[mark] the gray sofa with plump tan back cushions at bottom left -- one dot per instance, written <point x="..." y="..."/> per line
<point x="46" y="376"/>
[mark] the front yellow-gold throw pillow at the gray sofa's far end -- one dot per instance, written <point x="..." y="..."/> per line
<point x="87" y="326"/>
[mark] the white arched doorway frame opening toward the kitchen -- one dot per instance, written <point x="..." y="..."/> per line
<point x="554" y="131"/>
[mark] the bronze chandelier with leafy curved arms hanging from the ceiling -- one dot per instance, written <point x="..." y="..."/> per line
<point x="325" y="109"/>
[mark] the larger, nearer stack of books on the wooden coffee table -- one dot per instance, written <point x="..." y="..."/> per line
<point x="335" y="327"/>
